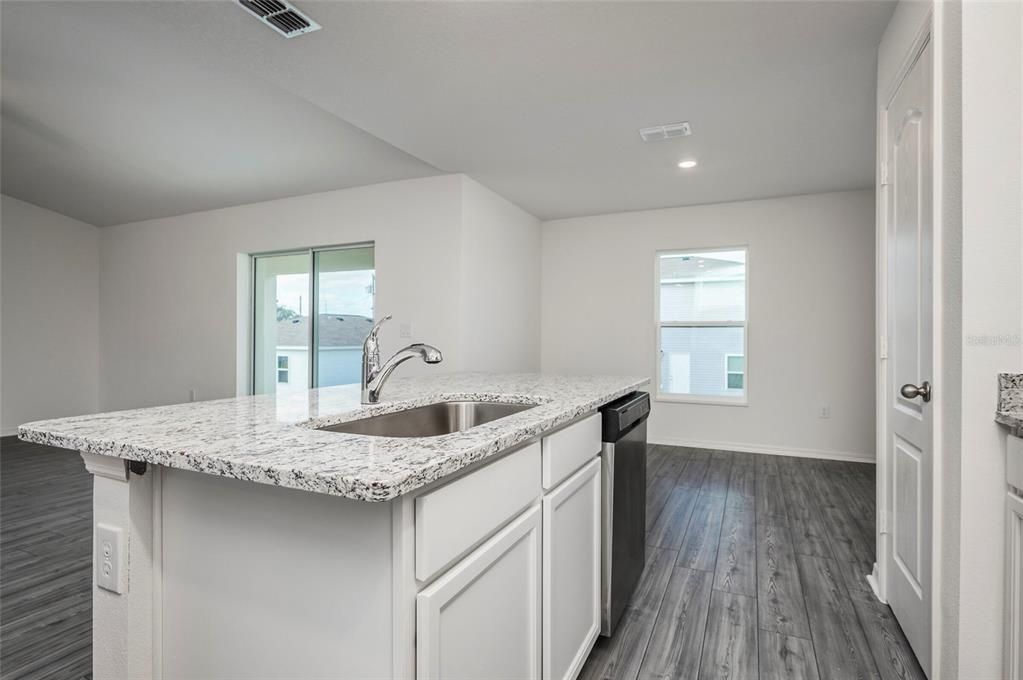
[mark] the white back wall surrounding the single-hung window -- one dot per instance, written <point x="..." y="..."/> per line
<point x="811" y="316"/>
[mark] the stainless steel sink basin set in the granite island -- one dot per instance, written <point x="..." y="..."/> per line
<point x="430" y="421"/>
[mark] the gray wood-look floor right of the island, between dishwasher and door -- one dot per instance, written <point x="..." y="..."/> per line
<point x="755" y="569"/>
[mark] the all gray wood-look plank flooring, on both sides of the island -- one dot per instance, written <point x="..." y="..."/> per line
<point x="755" y="570"/>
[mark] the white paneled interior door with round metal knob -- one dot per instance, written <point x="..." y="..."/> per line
<point x="910" y="433"/>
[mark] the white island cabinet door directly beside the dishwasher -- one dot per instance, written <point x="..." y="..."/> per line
<point x="571" y="573"/>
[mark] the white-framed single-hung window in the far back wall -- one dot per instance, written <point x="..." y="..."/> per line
<point x="701" y="326"/>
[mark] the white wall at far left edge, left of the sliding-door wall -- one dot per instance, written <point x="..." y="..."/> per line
<point x="51" y="319"/>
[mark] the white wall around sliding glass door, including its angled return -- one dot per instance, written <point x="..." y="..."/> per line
<point x="168" y="288"/>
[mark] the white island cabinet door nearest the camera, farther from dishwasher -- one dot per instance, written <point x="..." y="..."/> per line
<point x="482" y="618"/>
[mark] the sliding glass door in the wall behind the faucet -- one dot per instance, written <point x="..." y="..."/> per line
<point x="313" y="311"/>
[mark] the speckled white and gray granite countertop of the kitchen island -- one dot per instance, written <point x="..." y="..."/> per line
<point x="273" y="439"/>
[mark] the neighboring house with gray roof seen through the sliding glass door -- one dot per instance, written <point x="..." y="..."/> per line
<point x="339" y="339"/>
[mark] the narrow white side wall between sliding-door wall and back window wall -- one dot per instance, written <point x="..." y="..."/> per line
<point x="501" y="283"/>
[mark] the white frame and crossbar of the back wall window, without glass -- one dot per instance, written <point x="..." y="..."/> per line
<point x="719" y="400"/>
